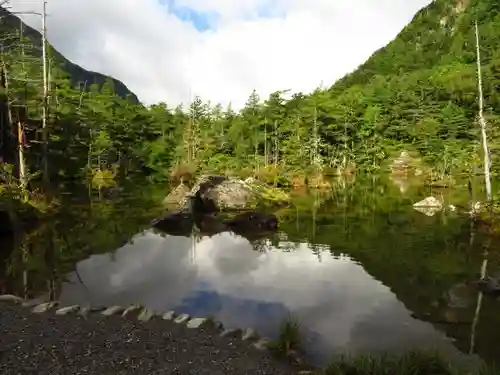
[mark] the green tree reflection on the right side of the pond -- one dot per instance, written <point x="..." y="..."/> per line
<point x="419" y="258"/>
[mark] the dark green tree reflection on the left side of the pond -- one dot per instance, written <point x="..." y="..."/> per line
<point x="40" y="259"/>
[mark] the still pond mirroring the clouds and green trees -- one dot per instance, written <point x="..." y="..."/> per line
<point x="358" y="267"/>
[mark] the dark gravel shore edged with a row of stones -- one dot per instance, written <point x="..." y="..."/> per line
<point x="47" y="344"/>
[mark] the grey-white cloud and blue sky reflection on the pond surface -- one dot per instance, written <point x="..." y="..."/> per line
<point x="224" y="276"/>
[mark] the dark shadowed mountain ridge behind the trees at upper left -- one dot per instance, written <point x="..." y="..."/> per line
<point x="9" y="24"/>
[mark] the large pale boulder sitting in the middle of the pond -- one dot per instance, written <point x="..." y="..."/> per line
<point x="219" y="193"/>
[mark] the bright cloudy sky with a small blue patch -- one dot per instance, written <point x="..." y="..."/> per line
<point x="171" y="50"/>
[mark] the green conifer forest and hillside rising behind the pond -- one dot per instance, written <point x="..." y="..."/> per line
<point x="419" y="94"/>
